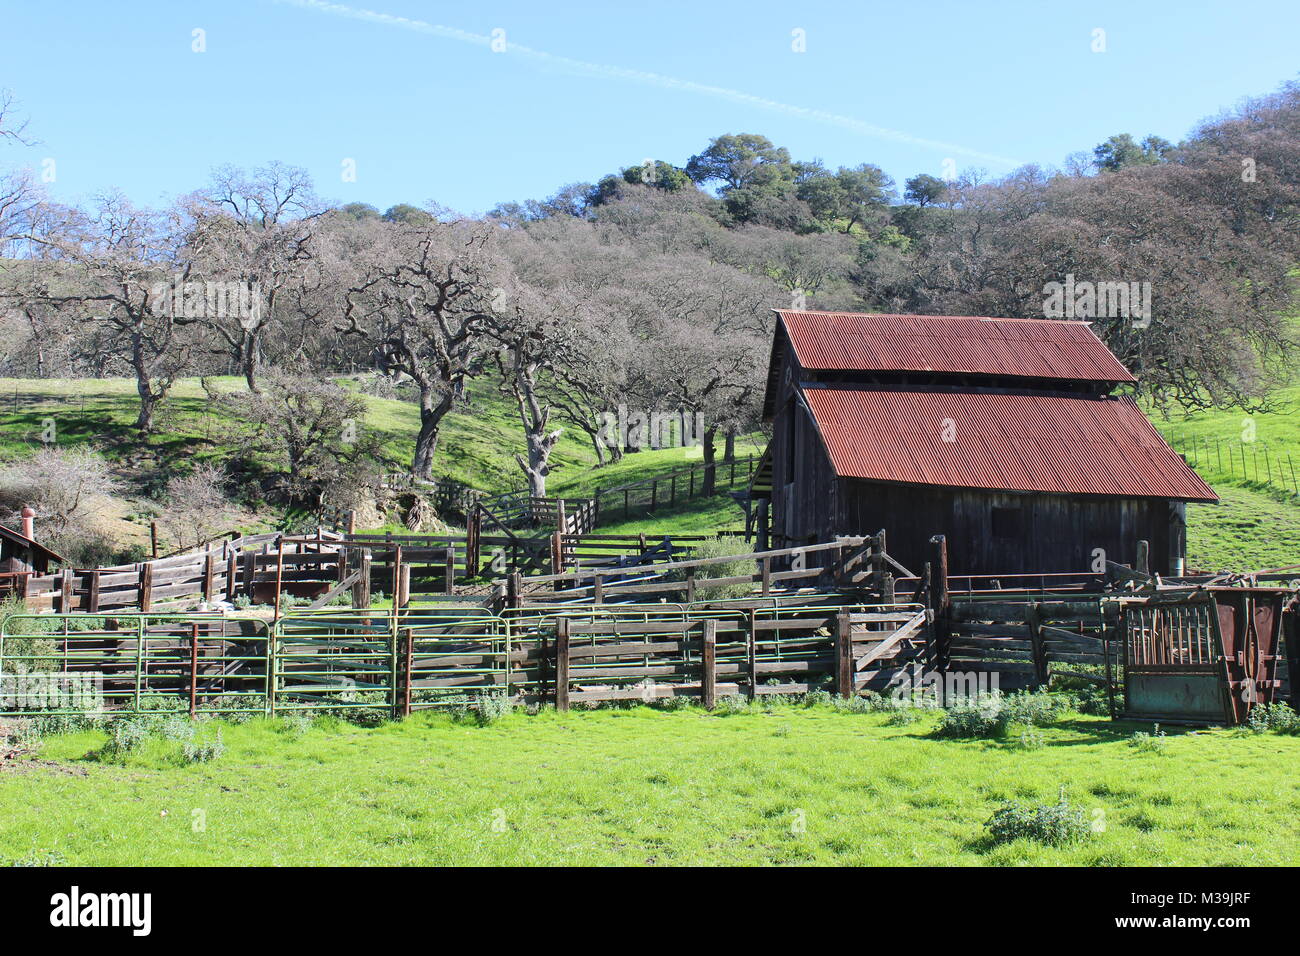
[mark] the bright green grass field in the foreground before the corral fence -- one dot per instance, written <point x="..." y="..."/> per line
<point x="643" y="786"/>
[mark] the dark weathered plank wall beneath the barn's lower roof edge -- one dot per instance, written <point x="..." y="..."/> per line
<point x="1004" y="533"/>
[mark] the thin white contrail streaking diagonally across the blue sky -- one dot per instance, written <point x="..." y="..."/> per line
<point x="651" y="80"/>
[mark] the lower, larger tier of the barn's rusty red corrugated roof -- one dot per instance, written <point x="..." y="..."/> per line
<point x="1020" y="443"/>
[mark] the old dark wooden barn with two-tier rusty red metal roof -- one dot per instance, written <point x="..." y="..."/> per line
<point x="1011" y="438"/>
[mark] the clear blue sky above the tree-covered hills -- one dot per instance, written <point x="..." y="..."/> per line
<point x="428" y="111"/>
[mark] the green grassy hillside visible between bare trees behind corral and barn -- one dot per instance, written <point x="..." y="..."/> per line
<point x="1258" y="525"/>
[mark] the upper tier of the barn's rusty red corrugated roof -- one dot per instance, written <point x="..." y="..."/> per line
<point x="974" y="345"/>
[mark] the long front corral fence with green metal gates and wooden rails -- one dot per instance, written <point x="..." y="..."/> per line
<point x="398" y="663"/>
